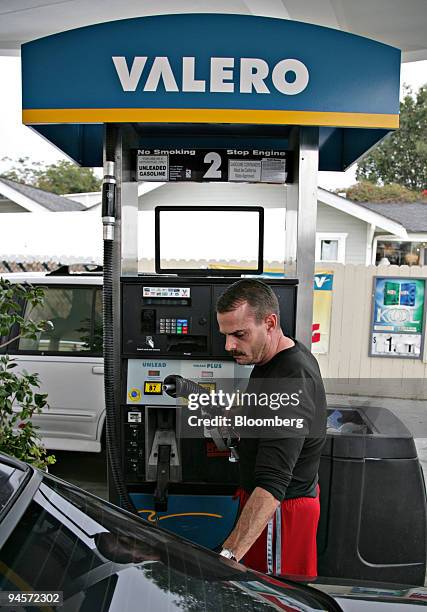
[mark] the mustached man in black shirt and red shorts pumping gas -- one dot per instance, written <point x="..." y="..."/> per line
<point x="279" y="491"/>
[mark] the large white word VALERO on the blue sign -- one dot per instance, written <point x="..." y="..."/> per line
<point x="253" y="73"/>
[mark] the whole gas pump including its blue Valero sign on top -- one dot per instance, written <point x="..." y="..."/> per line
<point x="248" y="100"/>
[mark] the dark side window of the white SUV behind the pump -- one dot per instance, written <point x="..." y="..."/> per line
<point x="76" y="315"/>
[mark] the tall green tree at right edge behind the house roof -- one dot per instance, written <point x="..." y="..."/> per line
<point x="402" y="157"/>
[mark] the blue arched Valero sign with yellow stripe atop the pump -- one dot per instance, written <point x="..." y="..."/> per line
<point x="250" y="75"/>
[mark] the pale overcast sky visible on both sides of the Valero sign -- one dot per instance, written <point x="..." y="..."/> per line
<point x="17" y="140"/>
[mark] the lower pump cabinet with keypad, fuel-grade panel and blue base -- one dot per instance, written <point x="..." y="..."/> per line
<point x="168" y="329"/>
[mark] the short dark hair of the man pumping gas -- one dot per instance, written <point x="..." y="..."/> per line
<point x="260" y="297"/>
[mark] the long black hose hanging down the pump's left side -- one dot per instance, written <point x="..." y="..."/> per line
<point x="108" y="217"/>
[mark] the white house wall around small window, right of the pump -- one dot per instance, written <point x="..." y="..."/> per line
<point x="331" y="220"/>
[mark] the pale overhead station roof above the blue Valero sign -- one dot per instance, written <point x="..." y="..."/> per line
<point x="393" y="22"/>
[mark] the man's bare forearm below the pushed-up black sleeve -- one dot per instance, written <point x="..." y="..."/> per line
<point x="256" y="513"/>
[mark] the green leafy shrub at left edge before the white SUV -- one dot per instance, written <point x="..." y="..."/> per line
<point x="19" y="399"/>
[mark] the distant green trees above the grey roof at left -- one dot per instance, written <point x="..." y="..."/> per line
<point x="62" y="177"/>
